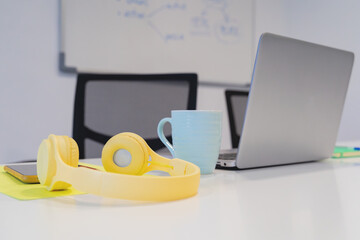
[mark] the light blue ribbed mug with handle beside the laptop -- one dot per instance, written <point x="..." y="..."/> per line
<point x="196" y="136"/>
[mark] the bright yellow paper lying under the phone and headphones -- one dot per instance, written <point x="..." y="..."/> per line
<point x="14" y="188"/>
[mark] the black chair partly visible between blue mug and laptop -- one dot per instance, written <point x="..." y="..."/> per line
<point x="236" y="102"/>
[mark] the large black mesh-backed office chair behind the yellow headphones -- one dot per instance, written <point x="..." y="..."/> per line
<point x="107" y="104"/>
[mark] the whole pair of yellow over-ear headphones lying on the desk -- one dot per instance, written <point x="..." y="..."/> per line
<point x="125" y="157"/>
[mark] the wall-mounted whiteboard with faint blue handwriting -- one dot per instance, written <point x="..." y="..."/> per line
<point x="213" y="38"/>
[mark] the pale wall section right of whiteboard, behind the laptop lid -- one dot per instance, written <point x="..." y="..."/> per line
<point x="329" y="22"/>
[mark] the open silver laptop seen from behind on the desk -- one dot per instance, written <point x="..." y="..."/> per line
<point x="295" y="103"/>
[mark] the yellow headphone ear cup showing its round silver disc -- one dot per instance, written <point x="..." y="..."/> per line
<point x="125" y="148"/>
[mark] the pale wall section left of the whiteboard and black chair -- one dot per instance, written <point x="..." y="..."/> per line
<point x="35" y="98"/>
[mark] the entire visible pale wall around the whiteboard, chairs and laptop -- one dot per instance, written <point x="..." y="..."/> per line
<point x="36" y="99"/>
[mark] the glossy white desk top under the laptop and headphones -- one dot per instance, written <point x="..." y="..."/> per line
<point x="319" y="200"/>
